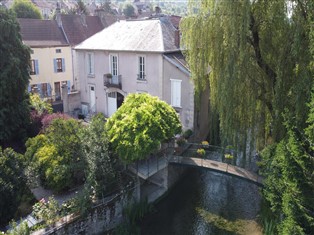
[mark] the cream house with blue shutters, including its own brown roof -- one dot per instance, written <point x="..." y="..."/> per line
<point x="51" y="64"/>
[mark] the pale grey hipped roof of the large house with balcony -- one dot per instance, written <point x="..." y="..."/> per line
<point x="150" y="35"/>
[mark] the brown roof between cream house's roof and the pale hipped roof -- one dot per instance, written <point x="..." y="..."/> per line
<point x="78" y="27"/>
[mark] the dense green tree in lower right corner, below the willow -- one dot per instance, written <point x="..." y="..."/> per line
<point x="289" y="183"/>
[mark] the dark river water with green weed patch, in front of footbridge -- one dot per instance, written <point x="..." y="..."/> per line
<point x="206" y="202"/>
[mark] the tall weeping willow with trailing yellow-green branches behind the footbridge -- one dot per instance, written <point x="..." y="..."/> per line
<point x="255" y="55"/>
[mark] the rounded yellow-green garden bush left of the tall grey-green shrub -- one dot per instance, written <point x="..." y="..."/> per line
<point x="56" y="155"/>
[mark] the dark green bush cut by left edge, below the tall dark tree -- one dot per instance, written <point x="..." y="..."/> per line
<point x="12" y="183"/>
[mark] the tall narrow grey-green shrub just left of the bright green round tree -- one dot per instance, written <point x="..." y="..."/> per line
<point x="99" y="168"/>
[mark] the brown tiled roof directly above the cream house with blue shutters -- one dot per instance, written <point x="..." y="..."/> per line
<point x="38" y="33"/>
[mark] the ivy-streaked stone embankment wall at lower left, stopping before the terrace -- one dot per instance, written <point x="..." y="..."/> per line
<point x="102" y="217"/>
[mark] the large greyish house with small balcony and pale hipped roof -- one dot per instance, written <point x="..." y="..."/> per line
<point x="135" y="56"/>
